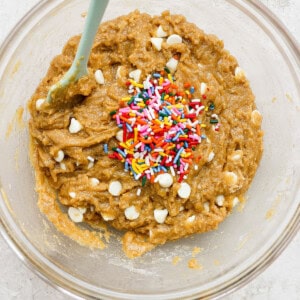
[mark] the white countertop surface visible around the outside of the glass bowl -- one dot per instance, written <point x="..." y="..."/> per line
<point x="280" y="281"/>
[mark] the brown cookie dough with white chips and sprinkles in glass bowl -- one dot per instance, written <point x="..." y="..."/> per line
<point x="160" y="140"/>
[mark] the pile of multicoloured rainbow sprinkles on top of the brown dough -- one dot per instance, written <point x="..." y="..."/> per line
<point x="160" y="127"/>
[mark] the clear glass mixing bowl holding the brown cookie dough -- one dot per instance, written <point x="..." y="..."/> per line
<point x="244" y="244"/>
